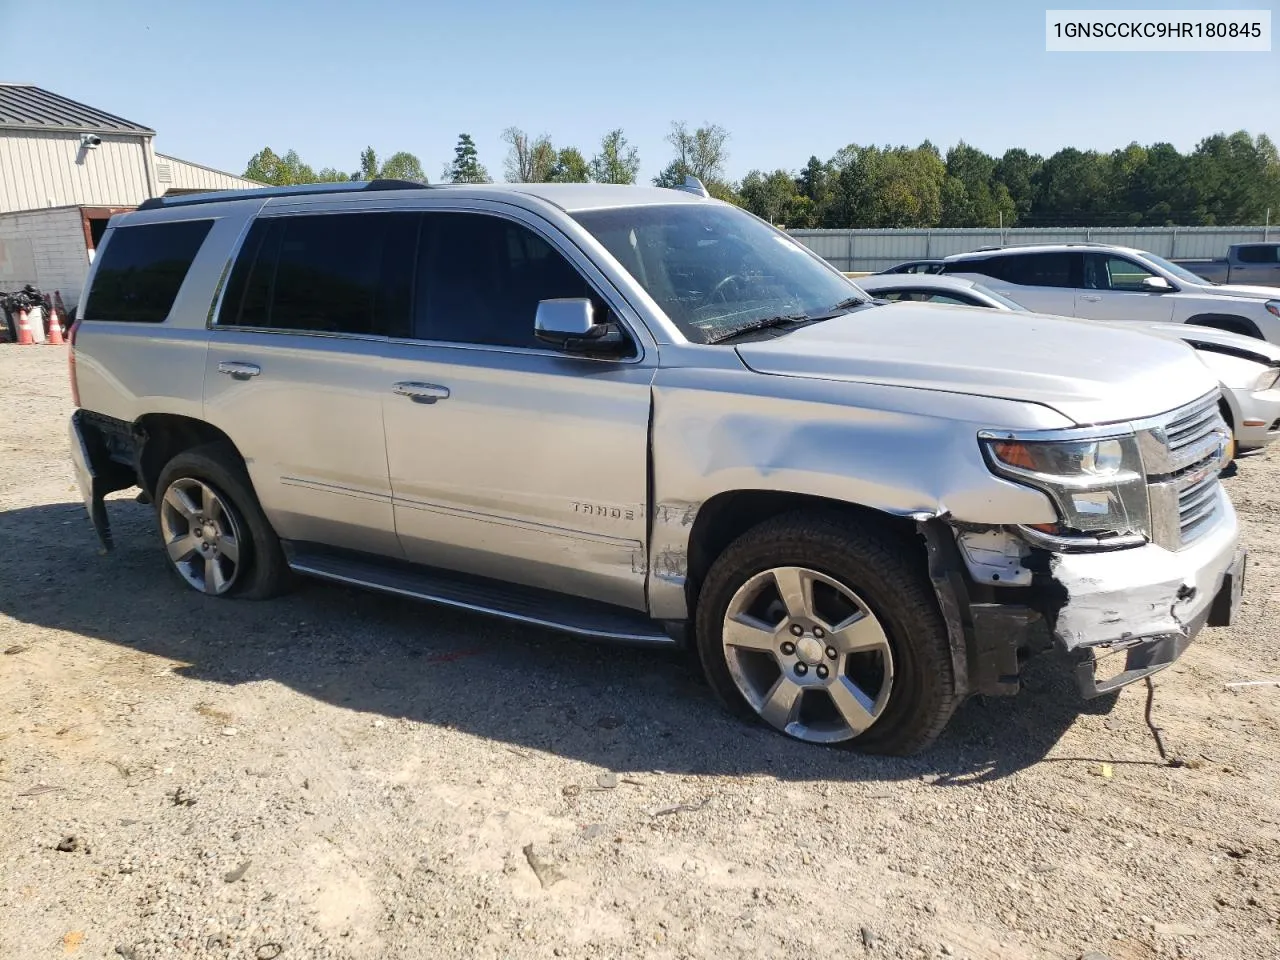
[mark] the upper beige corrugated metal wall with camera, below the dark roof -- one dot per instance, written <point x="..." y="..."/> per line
<point x="52" y="170"/>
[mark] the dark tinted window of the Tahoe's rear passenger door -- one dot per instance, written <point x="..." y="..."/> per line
<point x="333" y="273"/>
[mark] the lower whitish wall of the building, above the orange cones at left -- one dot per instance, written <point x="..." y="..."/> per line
<point x="45" y="249"/>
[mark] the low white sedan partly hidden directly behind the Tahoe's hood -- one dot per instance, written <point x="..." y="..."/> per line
<point x="1247" y="368"/>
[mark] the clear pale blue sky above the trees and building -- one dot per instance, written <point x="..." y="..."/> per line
<point x="218" y="81"/>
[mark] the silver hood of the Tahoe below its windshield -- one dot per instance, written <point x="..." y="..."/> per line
<point x="1092" y="373"/>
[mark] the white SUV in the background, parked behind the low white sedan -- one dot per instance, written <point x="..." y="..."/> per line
<point x="1100" y="282"/>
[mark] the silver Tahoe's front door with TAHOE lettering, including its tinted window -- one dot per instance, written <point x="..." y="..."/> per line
<point x="509" y="459"/>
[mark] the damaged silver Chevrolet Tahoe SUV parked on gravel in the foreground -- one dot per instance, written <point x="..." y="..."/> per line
<point x="647" y="417"/>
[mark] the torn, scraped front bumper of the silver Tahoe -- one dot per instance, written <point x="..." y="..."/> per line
<point x="1146" y="604"/>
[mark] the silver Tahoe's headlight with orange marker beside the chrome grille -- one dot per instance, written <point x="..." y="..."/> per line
<point x="1098" y="486"/>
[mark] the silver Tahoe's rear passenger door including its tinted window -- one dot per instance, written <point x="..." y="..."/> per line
<point x="295" y="373"/>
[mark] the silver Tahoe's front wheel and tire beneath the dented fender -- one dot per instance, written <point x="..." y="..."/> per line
<point x="830" y="634"/>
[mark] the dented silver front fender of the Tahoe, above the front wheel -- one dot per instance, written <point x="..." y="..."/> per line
<point x="902" y="451"/>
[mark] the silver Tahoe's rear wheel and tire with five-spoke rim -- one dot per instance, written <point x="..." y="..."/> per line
<point x="216" y="536"/>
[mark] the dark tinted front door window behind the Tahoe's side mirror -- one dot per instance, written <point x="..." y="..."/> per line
<point x="481" y="280"/>
